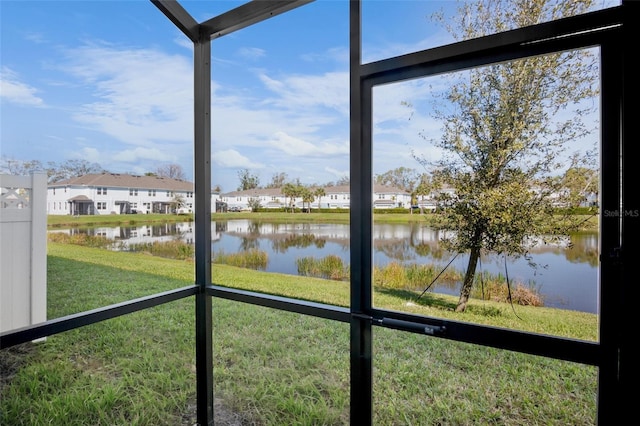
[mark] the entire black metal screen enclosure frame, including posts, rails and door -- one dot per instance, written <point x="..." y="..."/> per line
<point x="615" y="355"/>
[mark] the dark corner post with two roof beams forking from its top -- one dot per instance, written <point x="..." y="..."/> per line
<point x="201" y="35"/>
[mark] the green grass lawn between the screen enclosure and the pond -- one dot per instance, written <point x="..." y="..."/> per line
<point x="272" y="367"/>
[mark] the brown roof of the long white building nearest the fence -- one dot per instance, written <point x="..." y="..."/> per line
<point x="117" y="180"/>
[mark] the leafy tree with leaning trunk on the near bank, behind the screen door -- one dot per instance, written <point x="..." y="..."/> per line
<point x="503" y="134"/>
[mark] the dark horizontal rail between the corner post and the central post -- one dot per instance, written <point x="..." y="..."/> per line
<point x="320" y="310"/>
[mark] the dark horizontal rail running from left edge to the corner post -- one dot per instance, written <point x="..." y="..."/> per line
<point x="58" y="325"/>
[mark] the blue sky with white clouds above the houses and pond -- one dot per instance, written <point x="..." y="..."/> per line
<point x="111" y="82"/>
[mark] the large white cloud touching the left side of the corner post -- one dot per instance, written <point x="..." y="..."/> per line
<point x="144" y="96"/>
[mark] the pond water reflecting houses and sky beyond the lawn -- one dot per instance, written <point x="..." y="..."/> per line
<point x="566" y="275"/>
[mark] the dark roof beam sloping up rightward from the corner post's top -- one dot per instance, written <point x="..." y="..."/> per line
<point x="247" y="14"/>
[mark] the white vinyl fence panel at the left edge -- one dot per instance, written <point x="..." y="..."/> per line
<point x="23" y="250"/>
